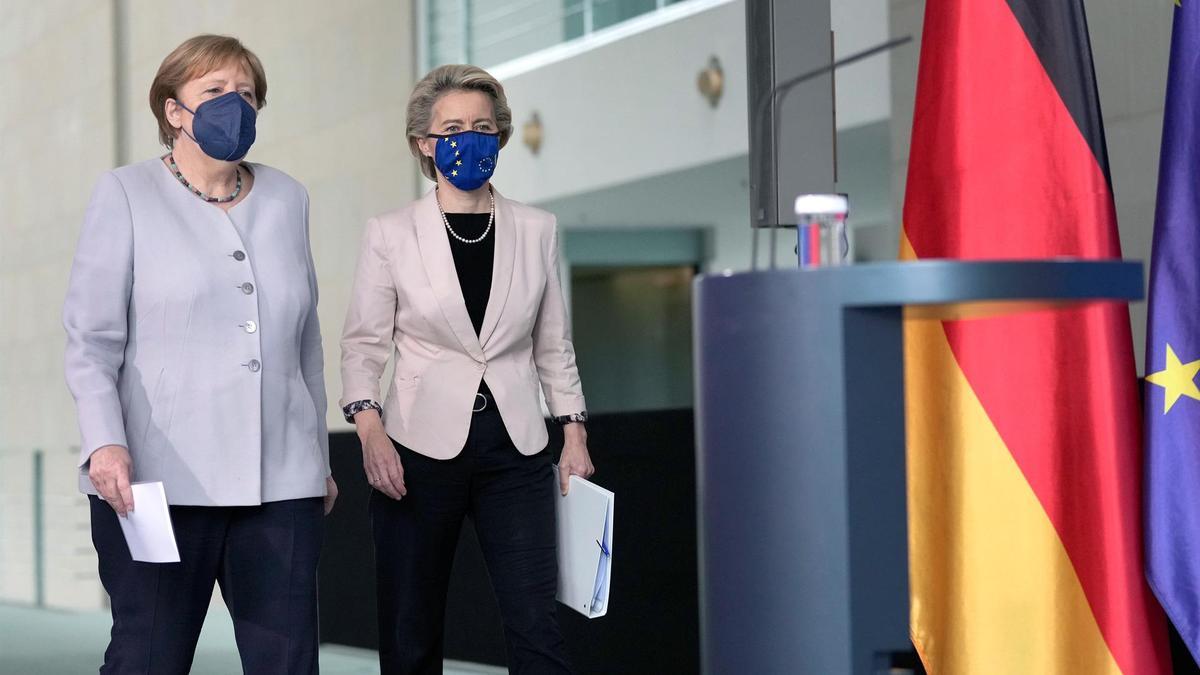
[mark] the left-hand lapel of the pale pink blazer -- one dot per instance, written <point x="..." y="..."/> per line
<point x="439" y="264"/>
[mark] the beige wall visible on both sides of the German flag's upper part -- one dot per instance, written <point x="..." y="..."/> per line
<point x="1131" y="43"/>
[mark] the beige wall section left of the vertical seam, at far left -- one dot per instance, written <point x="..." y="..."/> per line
<point x="56" y="139"/>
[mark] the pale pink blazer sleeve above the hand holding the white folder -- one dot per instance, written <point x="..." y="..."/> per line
<point x="553" y="350"/>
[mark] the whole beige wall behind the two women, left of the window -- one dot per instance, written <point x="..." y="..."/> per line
<point x="339" y="74"/>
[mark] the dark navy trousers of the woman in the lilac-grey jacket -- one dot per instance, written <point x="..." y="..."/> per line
<point x="265" y="558"/>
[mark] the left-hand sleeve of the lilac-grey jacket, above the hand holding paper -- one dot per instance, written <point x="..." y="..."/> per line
<point x="95" y="316"/>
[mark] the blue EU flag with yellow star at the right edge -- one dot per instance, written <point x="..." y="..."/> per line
<point x="1173" y="345"/>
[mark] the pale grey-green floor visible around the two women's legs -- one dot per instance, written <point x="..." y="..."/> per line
<point x="43" y="642"/>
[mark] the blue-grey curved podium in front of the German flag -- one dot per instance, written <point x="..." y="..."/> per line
<point x="801" y="451"/>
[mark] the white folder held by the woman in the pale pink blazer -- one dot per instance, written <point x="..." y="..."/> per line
<point x="585" y="547"/>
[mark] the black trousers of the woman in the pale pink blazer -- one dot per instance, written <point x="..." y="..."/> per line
<point x="511" y="500"/>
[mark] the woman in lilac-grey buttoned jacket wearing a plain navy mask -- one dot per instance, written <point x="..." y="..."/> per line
<point x="194" y="355"/>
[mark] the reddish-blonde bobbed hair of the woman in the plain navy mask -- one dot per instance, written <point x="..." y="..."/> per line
<point x="193" y="59"/>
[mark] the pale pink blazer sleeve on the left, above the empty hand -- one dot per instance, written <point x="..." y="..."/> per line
<point x="370" y="320"/>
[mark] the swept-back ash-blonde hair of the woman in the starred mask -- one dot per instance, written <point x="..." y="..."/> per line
<point x="440" y="82"/>
